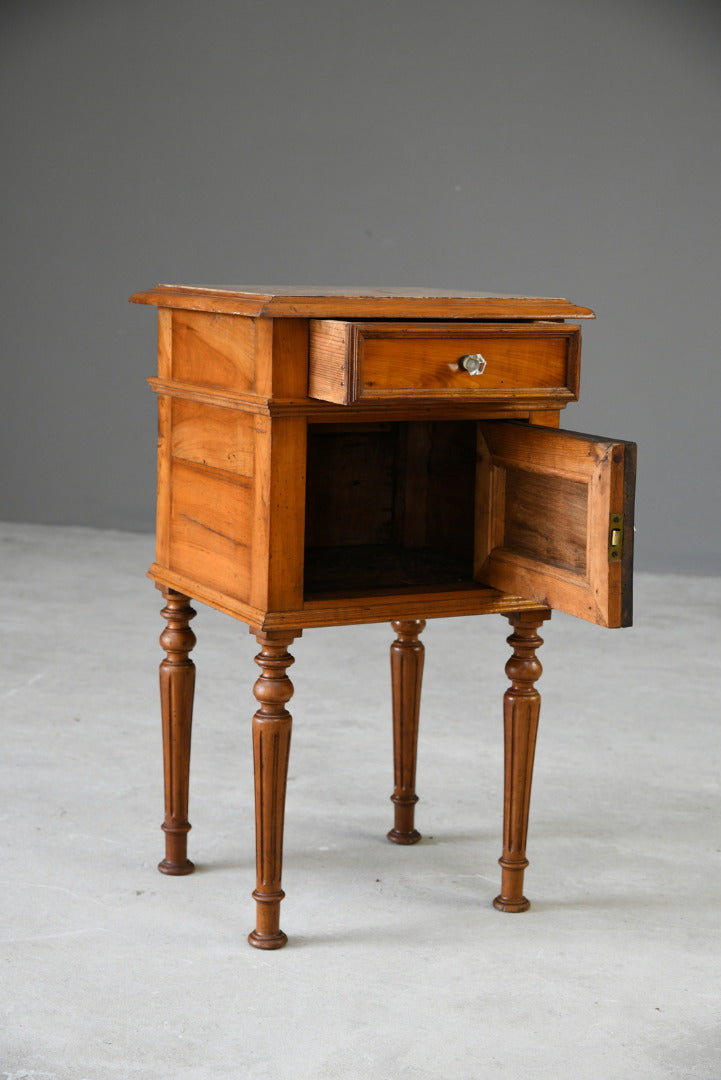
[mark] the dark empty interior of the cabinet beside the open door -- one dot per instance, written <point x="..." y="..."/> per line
<point x="390" y="506"/>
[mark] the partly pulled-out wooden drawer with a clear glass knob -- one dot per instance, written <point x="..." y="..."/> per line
<point x="533" y="364"/>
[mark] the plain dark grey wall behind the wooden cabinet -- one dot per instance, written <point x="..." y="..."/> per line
<point x="552" y="147"/>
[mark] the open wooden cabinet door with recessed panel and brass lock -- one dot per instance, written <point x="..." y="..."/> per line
<point x="555" y="519"/>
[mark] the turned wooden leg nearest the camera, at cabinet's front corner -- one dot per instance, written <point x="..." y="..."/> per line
<point x="271" y="744"/>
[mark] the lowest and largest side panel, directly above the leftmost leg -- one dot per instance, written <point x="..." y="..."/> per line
<point x="211" y="522"/>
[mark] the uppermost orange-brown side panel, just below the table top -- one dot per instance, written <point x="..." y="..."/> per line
<point x="214" y="350"/>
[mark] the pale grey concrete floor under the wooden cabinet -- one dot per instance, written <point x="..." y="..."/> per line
<point x="399" y="968"/>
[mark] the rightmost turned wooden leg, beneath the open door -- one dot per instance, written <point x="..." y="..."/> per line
<point x="522" y="706"/>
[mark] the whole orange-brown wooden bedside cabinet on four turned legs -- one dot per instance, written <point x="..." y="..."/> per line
<point x="345" y="456"/>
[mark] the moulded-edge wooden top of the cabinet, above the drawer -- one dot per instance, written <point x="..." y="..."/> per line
<point x="358" y="303"/>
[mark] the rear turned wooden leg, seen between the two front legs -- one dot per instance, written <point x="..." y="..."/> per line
<point x="407" y="656"/>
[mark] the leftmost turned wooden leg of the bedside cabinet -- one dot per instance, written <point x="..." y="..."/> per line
<point x="178" y="683"/>
